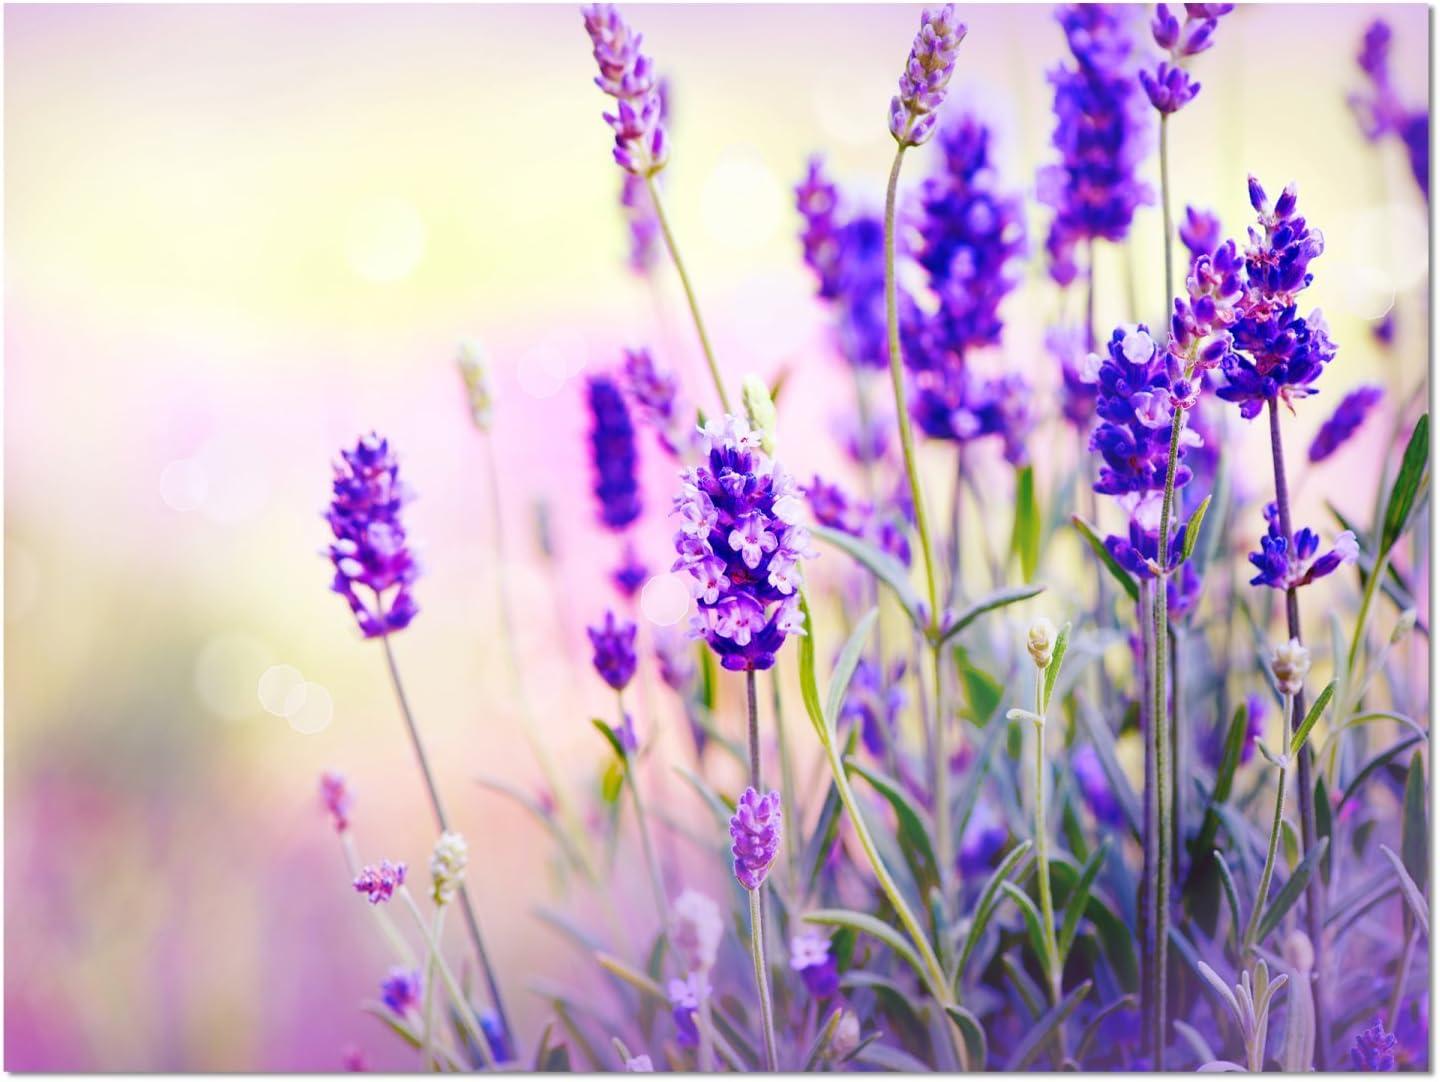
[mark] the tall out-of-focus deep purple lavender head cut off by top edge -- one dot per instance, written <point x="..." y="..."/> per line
<point x="1102" y="133"/>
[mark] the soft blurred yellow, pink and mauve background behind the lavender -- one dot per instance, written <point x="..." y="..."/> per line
<point x="240" y="237"/>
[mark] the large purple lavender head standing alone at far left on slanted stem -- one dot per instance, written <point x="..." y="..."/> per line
<point x="371" y="550"/>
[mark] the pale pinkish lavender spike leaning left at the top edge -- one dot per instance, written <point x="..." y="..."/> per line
<point x="629" y="77"/>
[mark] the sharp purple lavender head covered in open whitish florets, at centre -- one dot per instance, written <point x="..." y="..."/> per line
<point x="741" y="544"/>
